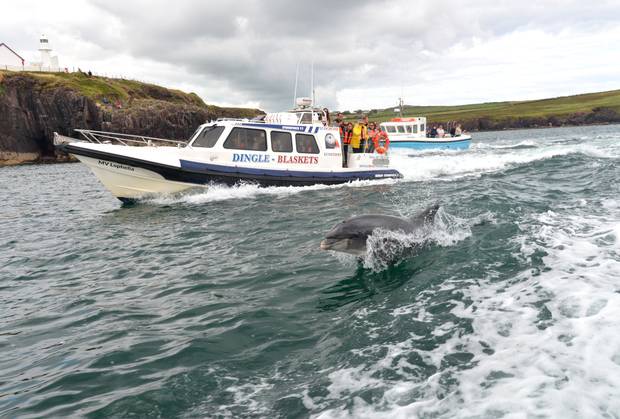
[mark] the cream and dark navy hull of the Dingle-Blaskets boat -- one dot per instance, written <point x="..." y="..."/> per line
<point x="130" y="178"/>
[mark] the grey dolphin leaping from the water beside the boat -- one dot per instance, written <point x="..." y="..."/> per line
<point x="350" y="236"/>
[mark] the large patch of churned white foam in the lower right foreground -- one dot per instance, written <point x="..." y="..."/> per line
<point x="565" y="364"/>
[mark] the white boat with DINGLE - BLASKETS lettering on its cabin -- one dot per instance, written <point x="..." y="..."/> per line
<point x="298" y="150"/>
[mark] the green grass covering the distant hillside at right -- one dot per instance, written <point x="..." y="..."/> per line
<point x="499" y="111"/>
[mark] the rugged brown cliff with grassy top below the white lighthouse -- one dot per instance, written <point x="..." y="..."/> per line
<point x="34" y="105"/>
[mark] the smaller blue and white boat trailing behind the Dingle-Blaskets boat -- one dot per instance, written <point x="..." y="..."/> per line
<point x="410" y="133"/>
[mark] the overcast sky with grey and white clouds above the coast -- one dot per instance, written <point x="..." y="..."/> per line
<point x="366" y="54"/>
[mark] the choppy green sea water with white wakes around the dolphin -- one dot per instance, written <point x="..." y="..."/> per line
<point x="219" y="302"/>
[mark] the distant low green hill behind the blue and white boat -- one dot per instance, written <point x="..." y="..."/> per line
<point x="567" y="110"/>
